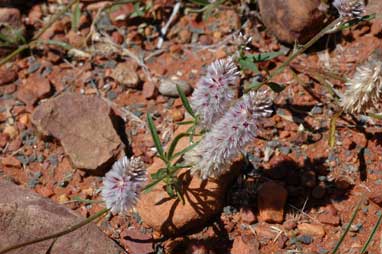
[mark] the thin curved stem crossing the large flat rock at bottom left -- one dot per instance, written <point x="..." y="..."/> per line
<point x="58" y="234"/>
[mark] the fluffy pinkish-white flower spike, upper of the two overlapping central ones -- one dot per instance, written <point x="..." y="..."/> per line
<point x="213" y="94"/>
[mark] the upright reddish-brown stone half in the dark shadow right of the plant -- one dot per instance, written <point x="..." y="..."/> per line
<point x="271" y="199"/>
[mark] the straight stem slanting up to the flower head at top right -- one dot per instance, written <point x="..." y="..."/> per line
<point x="318" y="36"/>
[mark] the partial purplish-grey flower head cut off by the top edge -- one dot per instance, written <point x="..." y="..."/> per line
<point x="350" y="8"/>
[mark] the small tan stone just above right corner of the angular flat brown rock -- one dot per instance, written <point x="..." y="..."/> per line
<point x="126" y="74"/>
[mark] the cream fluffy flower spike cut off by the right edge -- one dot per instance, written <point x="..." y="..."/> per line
<point x="364" y="90"/>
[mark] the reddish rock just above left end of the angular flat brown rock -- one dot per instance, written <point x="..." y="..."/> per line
<point x="34" y="88"/>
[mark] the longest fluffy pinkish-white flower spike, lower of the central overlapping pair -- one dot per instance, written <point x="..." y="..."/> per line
<point x="215" y="152"/>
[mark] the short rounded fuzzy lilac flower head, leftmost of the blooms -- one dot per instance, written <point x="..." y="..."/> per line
<point x="123" y="183"/>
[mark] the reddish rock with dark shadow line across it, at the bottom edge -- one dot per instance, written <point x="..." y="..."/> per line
<point x="136" y="242"/>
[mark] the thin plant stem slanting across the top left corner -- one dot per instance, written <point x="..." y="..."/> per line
<point x="21" y="48"/>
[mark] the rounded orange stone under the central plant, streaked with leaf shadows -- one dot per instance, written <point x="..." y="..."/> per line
<point x="203" y="199"/>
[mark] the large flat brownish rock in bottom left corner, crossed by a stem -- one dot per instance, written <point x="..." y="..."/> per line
<point x="24" y="216"/>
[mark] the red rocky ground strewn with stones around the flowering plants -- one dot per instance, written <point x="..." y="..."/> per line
<point x="74" y="104"/>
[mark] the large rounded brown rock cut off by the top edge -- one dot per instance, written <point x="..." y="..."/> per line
<point x="292" y="20"/>
